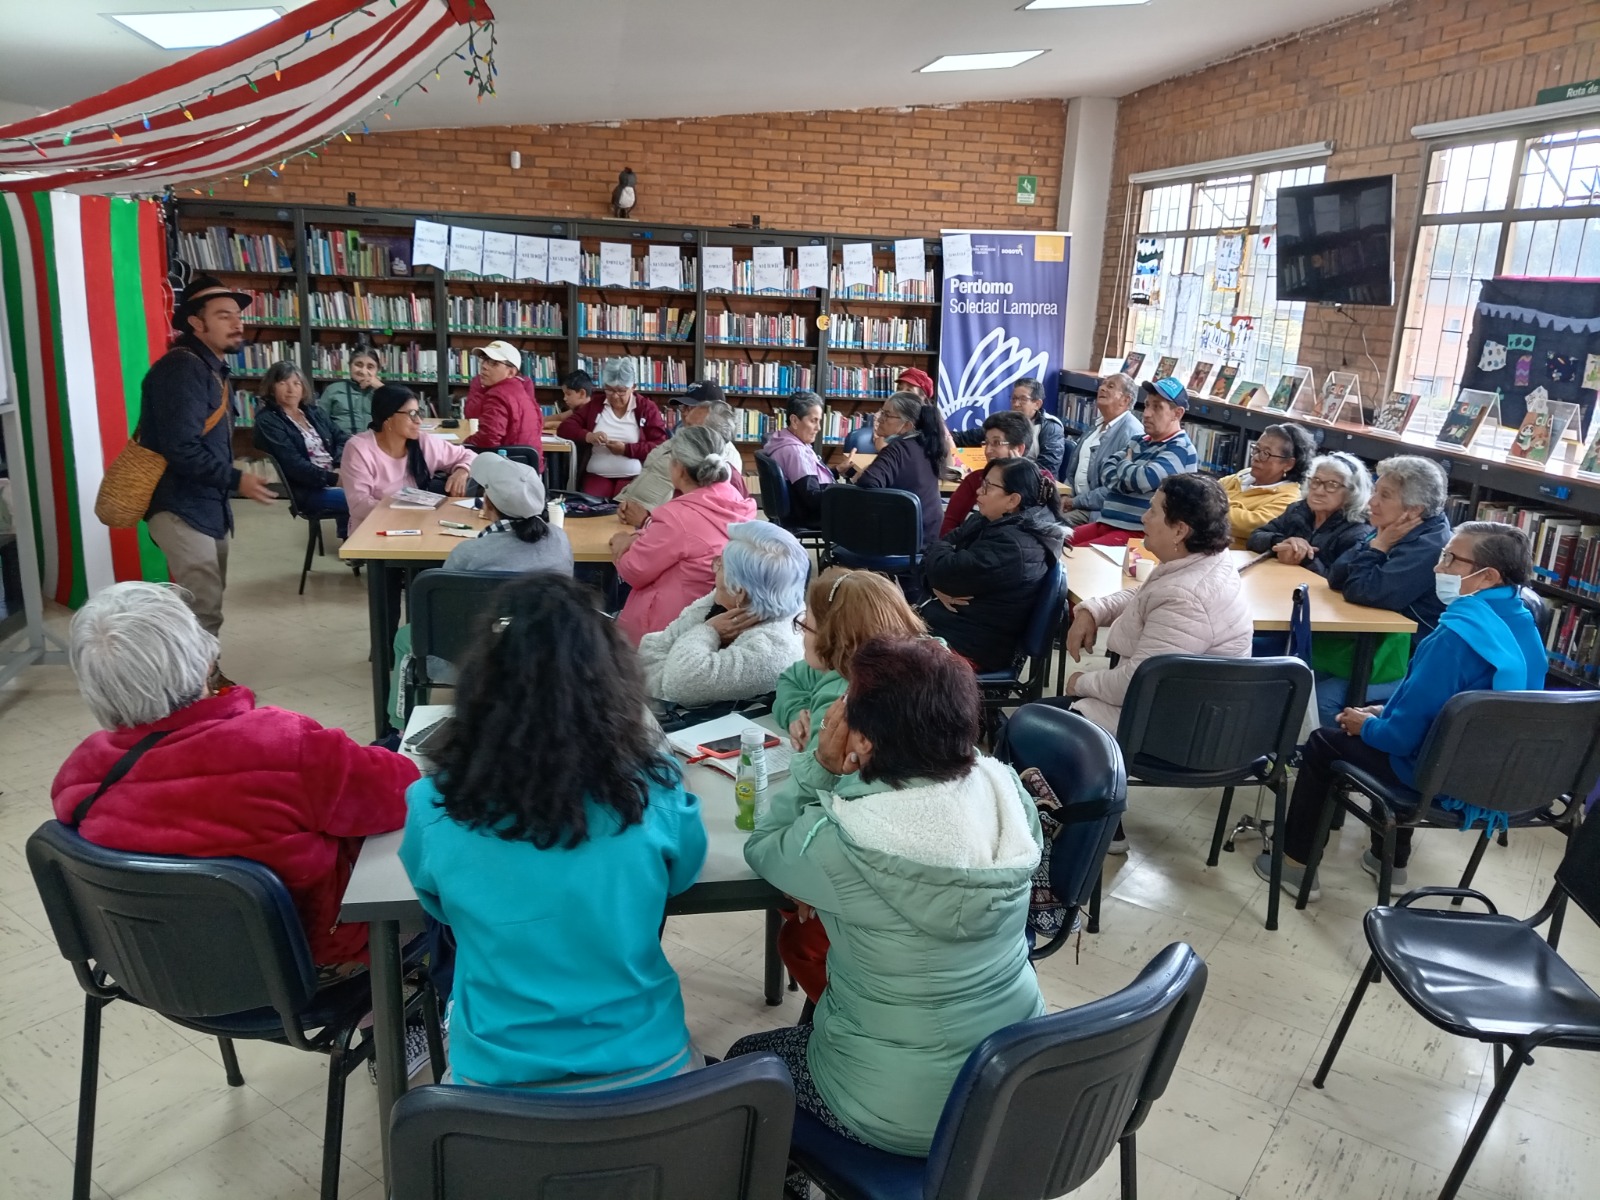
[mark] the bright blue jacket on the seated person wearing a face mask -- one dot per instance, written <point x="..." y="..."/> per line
<point x="1486" y="642"/>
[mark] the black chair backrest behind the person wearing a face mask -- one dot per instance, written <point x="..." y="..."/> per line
<point x="1513" y="751"/>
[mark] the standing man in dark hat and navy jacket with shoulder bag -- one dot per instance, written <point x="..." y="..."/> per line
<point x="185" y="418"/>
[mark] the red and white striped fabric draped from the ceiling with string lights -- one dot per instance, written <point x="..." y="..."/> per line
<point x="308" y="86"/>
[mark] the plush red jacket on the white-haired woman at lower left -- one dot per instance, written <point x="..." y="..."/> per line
<point x="239" y="782"/>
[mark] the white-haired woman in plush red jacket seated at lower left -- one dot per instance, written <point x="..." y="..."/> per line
<point x="207" y="774"/>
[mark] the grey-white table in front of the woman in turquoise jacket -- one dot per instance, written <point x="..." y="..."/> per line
<point x="382" y="895"/>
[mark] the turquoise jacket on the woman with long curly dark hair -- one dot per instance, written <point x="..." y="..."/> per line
<point x="559" y="966"/>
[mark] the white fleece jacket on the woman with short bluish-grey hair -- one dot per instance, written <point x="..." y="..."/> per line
<point x="687" y="665"/>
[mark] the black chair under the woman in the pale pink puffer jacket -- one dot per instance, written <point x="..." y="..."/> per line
<point x="1193" y="721"/>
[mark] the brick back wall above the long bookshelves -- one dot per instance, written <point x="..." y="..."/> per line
<point x="868" y="172"/>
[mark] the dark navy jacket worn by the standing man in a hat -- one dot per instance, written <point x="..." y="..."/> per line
<point x="180" y="391"/>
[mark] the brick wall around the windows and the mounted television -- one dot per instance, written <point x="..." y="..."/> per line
<point x="1362" y="84"/>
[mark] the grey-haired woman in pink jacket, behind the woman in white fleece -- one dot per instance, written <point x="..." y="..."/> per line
<point x="670" y="562"/>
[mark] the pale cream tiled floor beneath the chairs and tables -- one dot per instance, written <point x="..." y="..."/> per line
<point x="1239" y="1121"/>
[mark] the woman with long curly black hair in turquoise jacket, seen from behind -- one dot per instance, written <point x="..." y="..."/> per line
<point x="554" y="866"/>
